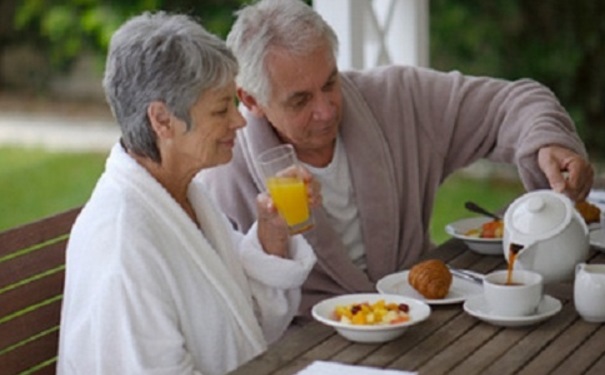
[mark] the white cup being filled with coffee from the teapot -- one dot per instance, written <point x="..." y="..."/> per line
<point x="521" y="298"/>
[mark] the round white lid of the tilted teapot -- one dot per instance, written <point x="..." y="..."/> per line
<point x="539" y="214"/>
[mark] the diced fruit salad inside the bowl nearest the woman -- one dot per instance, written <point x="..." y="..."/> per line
<point x="377" y="313"/>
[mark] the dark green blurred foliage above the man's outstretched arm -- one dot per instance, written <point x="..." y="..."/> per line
<point x="556" y="42"/>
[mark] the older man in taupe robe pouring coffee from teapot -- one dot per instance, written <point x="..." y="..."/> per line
<point x="380" y="142"/>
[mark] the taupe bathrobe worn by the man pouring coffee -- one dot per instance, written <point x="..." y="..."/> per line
<point x="405" y="130"/>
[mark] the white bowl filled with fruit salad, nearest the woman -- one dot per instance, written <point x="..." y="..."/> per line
<point x="370" y="317"/>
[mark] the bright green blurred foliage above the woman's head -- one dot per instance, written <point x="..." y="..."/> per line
<point x="71" y="26"/>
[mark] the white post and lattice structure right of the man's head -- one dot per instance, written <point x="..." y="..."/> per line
<point x="378" y="32"/>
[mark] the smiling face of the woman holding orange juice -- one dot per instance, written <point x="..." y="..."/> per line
<point x="214" y="121"/>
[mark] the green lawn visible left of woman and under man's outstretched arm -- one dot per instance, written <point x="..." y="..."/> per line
<point x="36" y="183"/>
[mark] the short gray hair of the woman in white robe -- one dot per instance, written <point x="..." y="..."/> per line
<point x="161" y="57"/>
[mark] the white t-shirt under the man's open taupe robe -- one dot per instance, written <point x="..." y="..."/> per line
<point x="339" y="203"/>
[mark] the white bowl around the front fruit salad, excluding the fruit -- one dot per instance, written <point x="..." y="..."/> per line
<point x="323" y="312"/>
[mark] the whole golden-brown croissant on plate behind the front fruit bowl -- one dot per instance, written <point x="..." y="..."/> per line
<point x="431" y="278"/>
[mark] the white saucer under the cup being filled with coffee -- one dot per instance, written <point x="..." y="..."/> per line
<point x="477" y="307"/>
